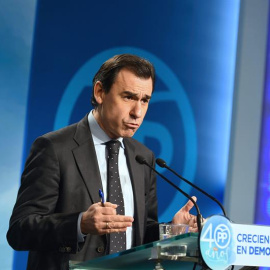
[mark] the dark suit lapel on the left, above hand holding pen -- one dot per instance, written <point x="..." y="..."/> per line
<point x="86" y="159"/>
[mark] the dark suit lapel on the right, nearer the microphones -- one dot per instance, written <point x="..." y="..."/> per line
<point x="137" y="178"/>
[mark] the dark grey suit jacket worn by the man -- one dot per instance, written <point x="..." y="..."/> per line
<point x="61" y="179"/>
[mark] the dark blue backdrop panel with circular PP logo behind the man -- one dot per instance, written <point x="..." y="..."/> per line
<point x="192" y="45"/>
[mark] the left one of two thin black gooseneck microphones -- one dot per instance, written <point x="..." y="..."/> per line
<point x="142" y="160"/>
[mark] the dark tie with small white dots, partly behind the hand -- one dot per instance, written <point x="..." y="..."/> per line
<point x="117" y="241"/>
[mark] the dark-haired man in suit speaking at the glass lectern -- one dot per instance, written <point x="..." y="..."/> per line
<point x="58" y="215"/>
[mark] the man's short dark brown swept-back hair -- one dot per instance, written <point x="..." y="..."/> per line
<point x="110" y="69"/>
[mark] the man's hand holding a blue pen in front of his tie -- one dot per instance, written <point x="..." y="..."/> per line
<point x="100" y="220"/>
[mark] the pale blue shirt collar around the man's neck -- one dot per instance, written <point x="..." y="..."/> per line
<point x="98" y="134"/>
